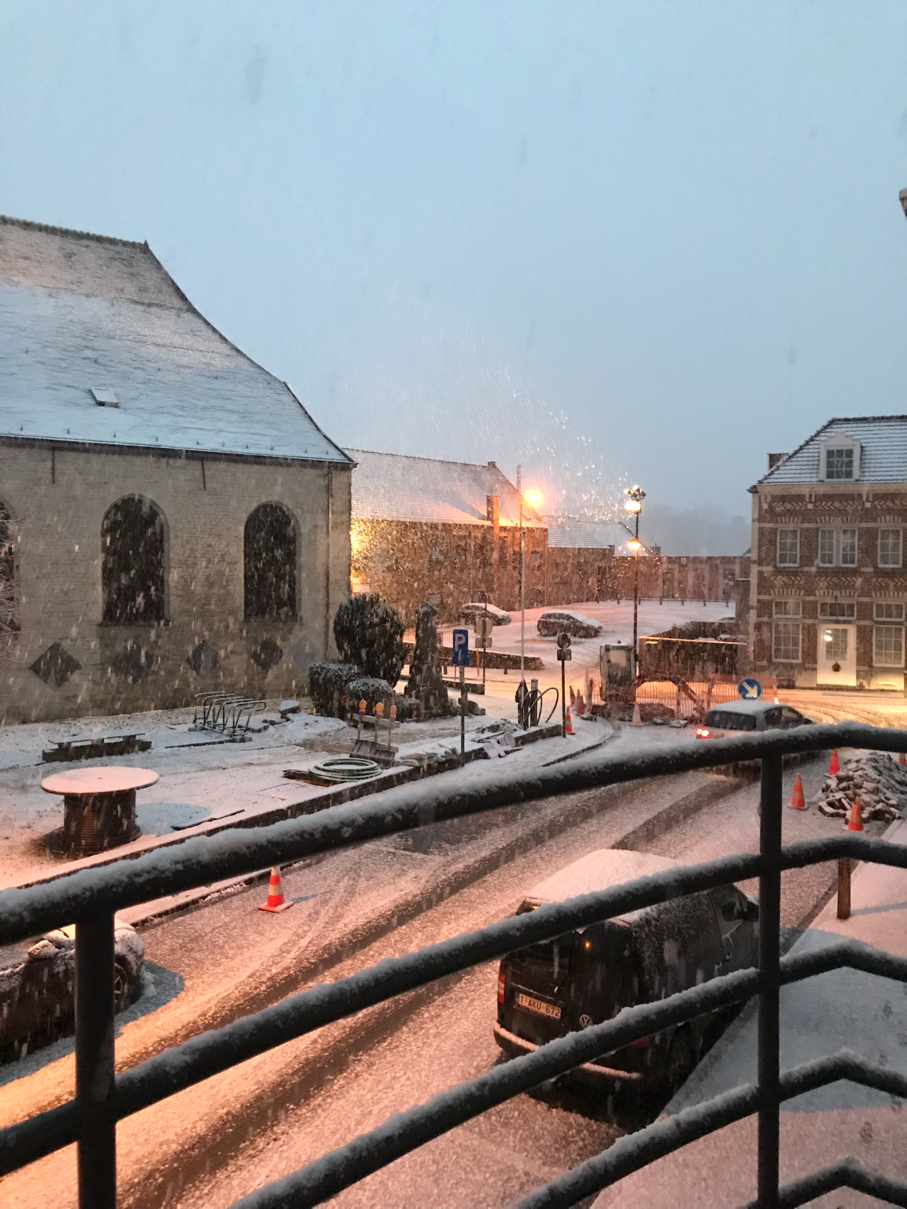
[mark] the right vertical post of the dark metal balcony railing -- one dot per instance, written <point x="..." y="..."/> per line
<point x="771" y="980"/>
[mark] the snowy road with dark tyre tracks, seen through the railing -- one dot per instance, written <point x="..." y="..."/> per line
<point x="263" y="1120"/>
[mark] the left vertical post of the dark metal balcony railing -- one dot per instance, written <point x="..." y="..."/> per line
<point x="95" y="1061"/>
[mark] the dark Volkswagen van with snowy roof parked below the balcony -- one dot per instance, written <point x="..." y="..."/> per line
<point x="585" y="979"/>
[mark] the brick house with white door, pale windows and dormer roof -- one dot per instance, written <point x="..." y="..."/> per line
<point x="829" y="579"/>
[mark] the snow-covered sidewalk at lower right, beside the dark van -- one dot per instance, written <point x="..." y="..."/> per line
<point x="819" y="1017"/>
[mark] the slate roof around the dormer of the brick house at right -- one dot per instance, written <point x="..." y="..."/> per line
<point x="883" y="455"/>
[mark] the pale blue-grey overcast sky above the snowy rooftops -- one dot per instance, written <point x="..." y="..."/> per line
<point x="619" y="241"/>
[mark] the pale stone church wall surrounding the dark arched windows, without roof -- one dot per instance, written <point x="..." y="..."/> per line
<point x="66" y="662"/>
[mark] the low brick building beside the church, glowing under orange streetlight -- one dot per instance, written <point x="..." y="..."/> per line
<point x="446" y="533"/>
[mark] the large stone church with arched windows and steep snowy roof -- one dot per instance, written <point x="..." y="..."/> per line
<point x="178" y="522"/>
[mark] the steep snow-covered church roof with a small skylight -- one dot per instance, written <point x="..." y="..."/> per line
<point x="86" y="317"/>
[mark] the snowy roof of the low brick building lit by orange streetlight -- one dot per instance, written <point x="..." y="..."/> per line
<point x="398" y="488"/>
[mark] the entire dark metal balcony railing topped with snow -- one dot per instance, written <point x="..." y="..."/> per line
<point x="91" y="898"/>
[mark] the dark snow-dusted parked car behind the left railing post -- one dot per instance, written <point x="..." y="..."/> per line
<point x="37" y="987"/>
